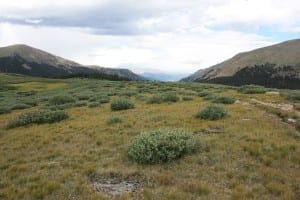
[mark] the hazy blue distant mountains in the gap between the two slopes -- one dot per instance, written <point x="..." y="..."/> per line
<point x="157" y="76"/>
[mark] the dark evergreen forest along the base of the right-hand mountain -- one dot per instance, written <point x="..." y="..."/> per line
<point x="268" y="75"/>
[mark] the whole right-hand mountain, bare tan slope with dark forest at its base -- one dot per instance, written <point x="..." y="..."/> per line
<point x="273" y="66"/>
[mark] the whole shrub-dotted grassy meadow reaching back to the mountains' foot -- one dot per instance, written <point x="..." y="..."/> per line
<point x="251" y="153"/>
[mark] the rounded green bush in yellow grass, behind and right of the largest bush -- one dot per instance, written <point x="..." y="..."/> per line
<point x="212" y="112"/>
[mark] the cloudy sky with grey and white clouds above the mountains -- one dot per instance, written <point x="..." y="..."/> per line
<point x="179" y="36"/>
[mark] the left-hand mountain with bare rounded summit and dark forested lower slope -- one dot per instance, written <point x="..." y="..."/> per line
<point x="23" y="59"/>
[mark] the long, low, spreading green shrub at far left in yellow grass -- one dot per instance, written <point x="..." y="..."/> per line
<point x="37" y="117"/>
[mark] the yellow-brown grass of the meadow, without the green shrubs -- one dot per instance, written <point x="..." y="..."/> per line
<point x="251" y="157"/>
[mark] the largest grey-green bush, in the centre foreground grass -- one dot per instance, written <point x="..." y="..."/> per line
<point x="160" y="146"/>
